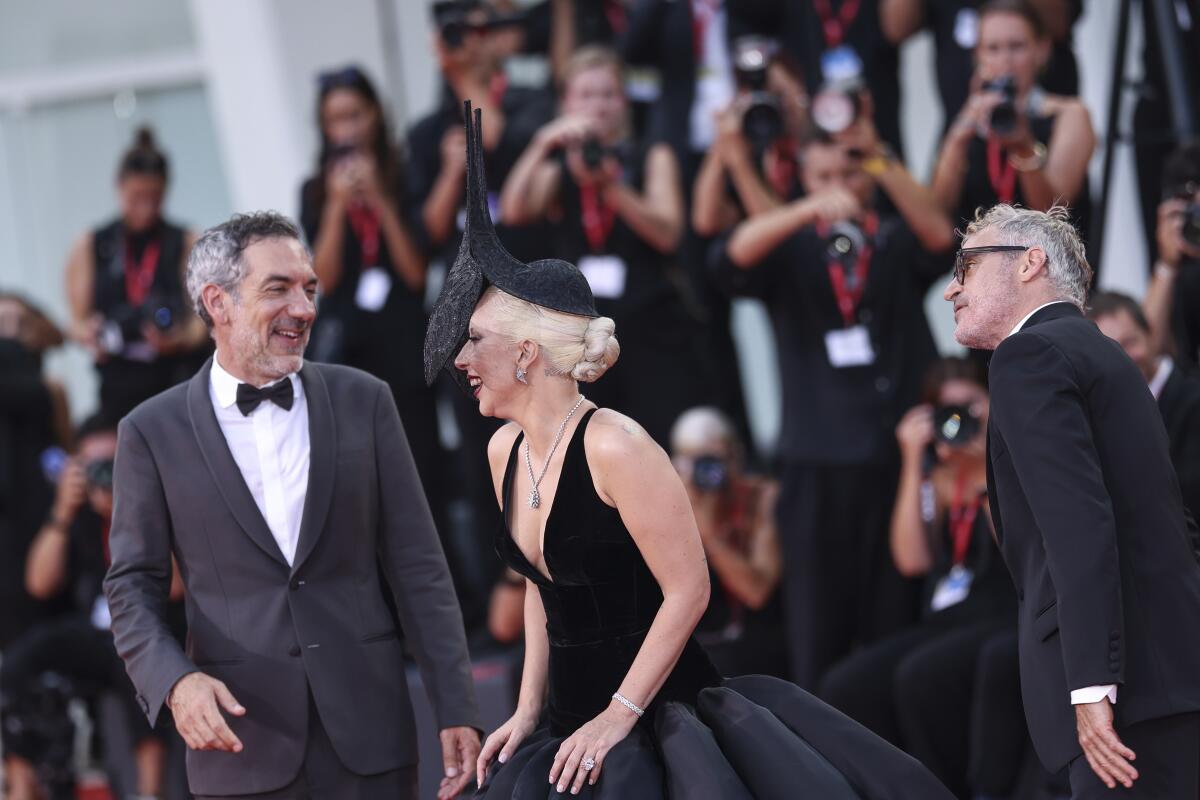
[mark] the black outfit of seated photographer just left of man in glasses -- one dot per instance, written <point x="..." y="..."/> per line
<point x="915" y="688"/>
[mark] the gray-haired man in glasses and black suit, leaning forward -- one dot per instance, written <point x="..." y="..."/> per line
<point x="1088" y="514"/>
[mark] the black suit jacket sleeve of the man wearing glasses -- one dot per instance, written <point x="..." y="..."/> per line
<point x="1040" y="407"/>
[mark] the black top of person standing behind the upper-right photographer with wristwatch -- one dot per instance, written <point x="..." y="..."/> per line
<point x="956" y="28"/>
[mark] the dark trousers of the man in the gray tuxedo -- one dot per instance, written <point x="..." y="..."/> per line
<point x="325" y="778"/>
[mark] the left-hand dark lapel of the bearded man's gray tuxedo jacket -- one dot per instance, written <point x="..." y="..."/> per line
<point x="223" y="466"/>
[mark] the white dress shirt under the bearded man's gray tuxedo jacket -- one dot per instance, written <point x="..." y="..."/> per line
<point x="272" y="450"/>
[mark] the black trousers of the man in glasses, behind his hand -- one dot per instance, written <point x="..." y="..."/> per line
<point x="1168" y="762"/>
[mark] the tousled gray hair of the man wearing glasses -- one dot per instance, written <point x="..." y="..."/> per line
<point x="1053" y="233"/>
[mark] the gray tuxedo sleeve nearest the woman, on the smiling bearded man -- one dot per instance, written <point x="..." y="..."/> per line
<point x="418" y="575"/>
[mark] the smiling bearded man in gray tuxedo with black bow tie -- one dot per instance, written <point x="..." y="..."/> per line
<point x="284" y="491"/>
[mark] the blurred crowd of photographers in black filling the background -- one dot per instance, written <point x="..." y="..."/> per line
<point x="682" y="154"/>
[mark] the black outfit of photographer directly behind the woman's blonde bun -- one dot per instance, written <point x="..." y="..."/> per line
<point x="662" y="371"/>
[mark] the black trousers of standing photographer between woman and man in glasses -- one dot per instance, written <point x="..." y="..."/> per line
<point x="841" y="587"/>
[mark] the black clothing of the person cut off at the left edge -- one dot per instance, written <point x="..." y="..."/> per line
<point x="26" y="496"/>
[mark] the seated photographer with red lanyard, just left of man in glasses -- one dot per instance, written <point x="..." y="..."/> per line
<point x="915" y="688"/>
